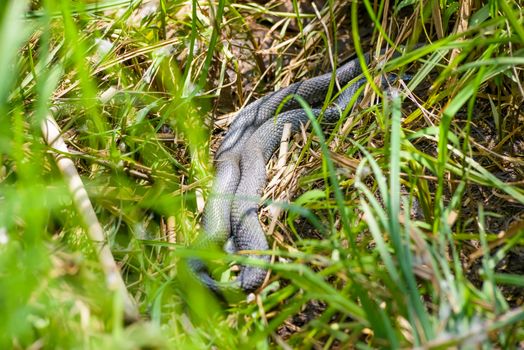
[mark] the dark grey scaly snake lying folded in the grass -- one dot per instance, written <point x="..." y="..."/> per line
<point x="231" y="212"/>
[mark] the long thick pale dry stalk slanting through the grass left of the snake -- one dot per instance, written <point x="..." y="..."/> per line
<point x="52" y="136"/>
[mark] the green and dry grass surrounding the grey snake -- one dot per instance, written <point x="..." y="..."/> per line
<point x="140" y="99"/>
